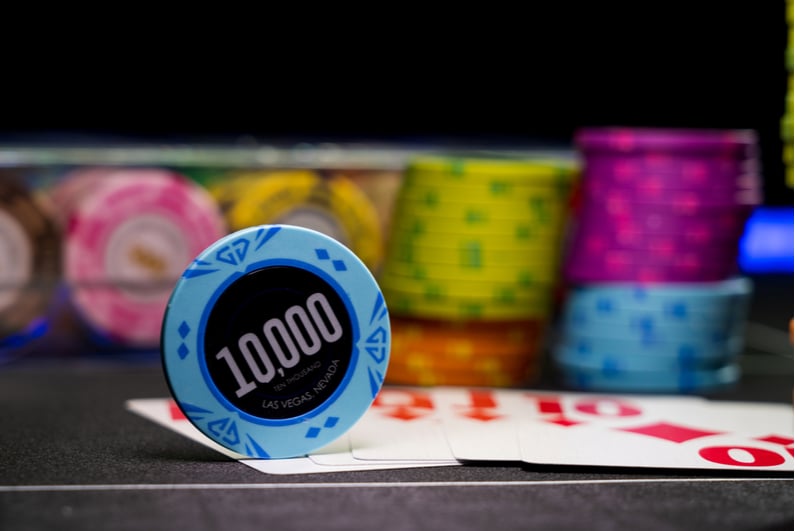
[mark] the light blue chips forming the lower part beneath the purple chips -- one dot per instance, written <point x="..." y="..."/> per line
<point x="675" y="338"/>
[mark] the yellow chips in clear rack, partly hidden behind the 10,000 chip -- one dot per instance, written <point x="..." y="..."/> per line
<point x="332" y="205"/>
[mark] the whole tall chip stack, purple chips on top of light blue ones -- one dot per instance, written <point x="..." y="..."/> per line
<point x="655" y="302"/>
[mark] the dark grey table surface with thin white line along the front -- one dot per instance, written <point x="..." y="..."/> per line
<point x="72" y="457"/>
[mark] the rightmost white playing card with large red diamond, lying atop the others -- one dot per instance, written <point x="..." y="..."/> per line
<point x="658" y="432"/>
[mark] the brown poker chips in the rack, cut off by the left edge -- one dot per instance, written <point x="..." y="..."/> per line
<point x="30" y="266"/>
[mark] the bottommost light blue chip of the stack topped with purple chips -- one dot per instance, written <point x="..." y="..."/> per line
<point x="675" y="382"/>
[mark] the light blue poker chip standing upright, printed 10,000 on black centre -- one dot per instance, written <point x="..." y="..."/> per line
<point x="275" y="341"/>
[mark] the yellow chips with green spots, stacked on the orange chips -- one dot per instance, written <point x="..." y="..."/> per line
<point x="477" y="237"/>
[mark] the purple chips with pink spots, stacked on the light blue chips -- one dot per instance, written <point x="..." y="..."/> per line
<point x="662" y="205"/>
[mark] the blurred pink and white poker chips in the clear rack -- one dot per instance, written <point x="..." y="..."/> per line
<point x="128" y="234"/>
